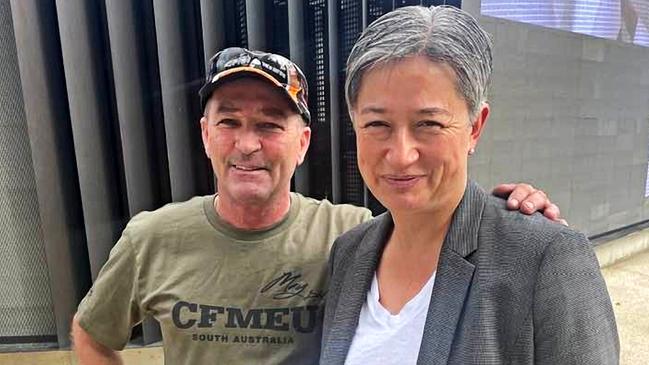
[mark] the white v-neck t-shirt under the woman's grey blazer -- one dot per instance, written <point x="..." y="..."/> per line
<point x="383" y="338"/>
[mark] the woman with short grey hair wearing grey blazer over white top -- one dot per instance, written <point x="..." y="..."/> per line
<point x="443" y="276"/>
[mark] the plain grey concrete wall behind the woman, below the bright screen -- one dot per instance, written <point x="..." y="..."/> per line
<point x="570" y="114"/>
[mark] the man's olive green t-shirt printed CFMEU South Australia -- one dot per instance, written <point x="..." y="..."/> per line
<point x="222" y="295"/>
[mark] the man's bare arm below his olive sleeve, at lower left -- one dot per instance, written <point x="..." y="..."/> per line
<point x="89" y="351"/>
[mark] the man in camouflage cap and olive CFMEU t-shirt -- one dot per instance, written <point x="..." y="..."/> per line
<point x="238" y="277"/>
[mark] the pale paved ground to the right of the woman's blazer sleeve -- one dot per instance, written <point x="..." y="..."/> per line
<point x="628" y="285"/>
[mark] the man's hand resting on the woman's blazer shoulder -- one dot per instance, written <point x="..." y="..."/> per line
<point x="527" y="199"/>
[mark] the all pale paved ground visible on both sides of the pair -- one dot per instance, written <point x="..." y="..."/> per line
<point x="627" y="281"/>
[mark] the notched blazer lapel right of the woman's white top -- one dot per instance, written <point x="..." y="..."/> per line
<point x="453" y="278"/>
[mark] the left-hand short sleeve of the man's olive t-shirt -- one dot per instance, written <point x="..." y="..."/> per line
<point x="111" y="308"/>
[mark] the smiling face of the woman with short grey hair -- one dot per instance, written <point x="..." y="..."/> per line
<point x="413" y="135"/>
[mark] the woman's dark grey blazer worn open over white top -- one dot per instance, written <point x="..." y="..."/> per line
<point x="510" y="289"/>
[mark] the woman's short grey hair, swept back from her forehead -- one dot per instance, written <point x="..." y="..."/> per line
<point x="444" y="34"/>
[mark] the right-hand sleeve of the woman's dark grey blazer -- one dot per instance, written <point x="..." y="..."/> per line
<point x="573" y="317"/>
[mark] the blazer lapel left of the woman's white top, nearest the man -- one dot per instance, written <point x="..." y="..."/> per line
<point x="357" y="282"/>
